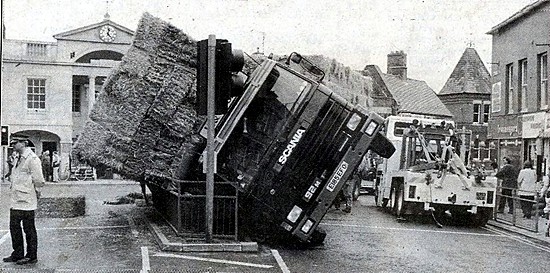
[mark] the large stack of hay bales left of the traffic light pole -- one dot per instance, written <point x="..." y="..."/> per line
<point x="144" y="119"/>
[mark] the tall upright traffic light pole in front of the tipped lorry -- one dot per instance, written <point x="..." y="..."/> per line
<point x="210" y="157"/>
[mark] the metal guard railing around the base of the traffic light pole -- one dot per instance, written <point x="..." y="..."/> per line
<point x="184" y="208"/>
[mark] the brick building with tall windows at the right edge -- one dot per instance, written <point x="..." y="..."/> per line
<point x="520" y="123"/>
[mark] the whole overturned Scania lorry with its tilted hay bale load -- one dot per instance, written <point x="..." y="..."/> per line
<point x="287" y="143"/>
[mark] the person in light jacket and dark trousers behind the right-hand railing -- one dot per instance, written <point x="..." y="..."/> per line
<point x="527" y="180"/>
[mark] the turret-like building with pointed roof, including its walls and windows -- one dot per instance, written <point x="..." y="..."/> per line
<point x="467" y="94"/>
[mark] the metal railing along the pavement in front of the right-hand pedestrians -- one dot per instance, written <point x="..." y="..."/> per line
<point x="518" y="208"/>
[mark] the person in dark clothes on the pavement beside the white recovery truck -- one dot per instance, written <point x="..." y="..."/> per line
<point x="508" y="174"/>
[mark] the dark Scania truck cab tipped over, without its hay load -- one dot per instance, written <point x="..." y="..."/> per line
<point x="290" y="143"/>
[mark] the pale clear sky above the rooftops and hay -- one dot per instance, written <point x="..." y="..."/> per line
<point x="433" y="33"/>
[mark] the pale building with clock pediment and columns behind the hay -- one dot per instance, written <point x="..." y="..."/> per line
<point x="49" y="88"/>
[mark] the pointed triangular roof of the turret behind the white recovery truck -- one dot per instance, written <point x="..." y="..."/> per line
<point x="469" y="76"/>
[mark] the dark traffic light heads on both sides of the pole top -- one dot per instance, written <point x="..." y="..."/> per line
<point x="228" y="62"/>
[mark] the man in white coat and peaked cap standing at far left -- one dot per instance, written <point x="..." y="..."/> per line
<point x="27" y="179"/>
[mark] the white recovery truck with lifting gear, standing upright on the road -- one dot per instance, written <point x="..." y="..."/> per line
<point x="427" y="175"/>
